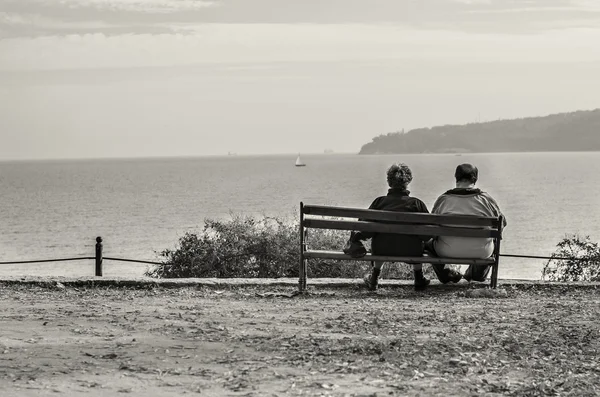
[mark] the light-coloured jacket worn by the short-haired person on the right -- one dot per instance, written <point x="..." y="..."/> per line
<point x="465" y="202"/>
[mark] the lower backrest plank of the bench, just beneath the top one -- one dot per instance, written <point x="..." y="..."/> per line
<point x="421" y="230"/>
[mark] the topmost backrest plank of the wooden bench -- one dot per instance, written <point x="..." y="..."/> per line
<point x="409" y="217"/>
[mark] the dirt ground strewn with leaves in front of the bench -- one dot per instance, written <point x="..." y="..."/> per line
<point x="333" y="342"/>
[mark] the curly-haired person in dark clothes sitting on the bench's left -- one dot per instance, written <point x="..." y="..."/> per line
<point x="398" y="199"/>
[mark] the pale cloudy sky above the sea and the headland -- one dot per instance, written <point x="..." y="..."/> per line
<point x="145" y="78"/>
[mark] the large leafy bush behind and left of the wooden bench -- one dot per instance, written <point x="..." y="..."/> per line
<point x="266" y="247"/>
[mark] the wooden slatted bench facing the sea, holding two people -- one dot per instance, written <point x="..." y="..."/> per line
<point x="315" y="217"/>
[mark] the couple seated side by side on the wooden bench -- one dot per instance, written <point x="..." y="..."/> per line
<point x="464" y="199"/>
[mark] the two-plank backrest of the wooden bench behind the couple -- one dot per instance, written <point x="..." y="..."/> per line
<point x="312" y="216"/>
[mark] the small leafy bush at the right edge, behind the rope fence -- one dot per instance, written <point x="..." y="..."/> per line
<point x="575" y="259"/>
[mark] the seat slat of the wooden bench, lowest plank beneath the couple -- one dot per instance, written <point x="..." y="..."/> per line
<point x="369" y="257"/>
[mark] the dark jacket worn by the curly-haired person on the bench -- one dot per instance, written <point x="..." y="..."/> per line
<point x="397" y="244"/>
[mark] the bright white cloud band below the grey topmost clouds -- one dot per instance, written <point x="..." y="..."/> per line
<point x="267" y="43"/>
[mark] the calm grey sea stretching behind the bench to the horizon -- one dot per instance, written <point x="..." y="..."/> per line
<point x="56" y="208"/>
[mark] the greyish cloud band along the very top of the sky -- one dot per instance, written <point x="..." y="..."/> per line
<point x="113" y="17"/>
